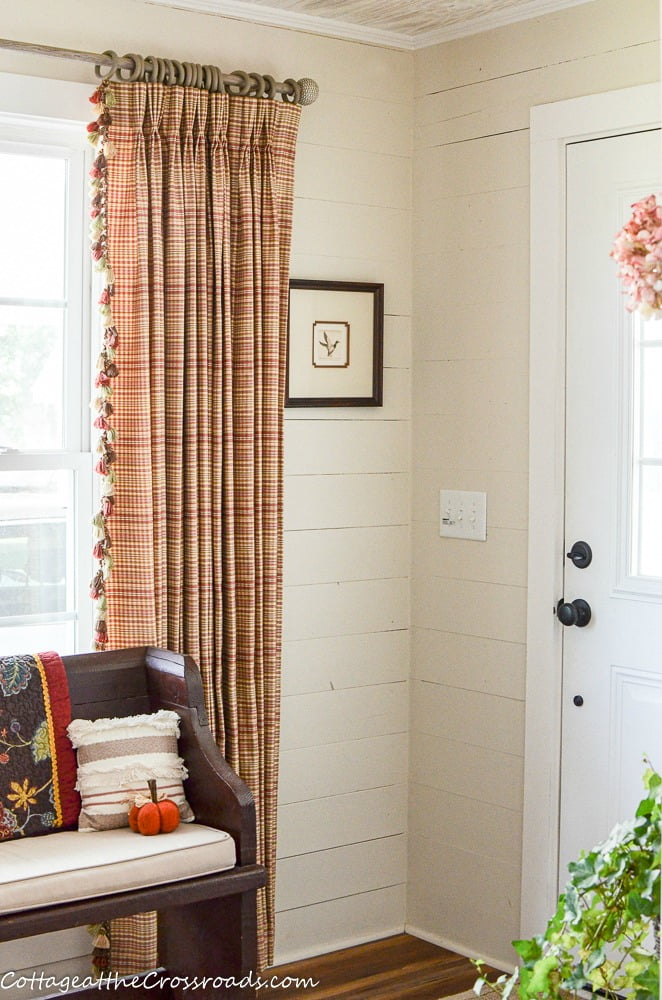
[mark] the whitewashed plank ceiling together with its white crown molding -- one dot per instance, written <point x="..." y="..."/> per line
<point x="405" y="24"/>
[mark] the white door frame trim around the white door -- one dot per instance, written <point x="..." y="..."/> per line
<point x="553" y="127"/>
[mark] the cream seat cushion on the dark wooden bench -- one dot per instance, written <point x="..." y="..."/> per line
<point x="71" y="865"/>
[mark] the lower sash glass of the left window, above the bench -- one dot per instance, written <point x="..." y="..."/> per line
<point x="36" y="533"/>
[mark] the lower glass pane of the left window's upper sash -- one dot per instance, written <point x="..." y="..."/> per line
<point x="32" y="382"/>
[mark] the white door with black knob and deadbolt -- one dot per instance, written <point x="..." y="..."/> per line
<point x="612" y="667"/>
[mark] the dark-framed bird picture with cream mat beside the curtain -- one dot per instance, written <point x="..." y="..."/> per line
<point x="335" y="343"/>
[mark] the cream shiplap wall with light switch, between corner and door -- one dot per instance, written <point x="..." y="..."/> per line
<point x="470" y="431"/>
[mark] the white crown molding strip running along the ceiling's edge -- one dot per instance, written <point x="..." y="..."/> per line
<point x="283" y="18"/>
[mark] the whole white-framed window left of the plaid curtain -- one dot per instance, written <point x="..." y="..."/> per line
<point x="45" y="459"/>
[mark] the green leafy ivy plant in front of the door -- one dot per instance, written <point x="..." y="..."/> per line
<point x="605" y="933"/>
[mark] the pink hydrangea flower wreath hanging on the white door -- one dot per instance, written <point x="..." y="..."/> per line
<point x="638" y="252"/>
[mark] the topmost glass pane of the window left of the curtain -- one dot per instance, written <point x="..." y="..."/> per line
<point x="33" y="212"/>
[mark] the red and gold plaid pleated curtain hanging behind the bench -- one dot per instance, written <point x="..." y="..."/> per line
<point x="198" y="192"/>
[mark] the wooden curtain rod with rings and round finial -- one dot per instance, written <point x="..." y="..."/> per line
<point x="133" y="68"/>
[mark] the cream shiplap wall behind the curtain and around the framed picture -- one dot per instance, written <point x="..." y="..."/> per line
<point x="341" y="869"/>
